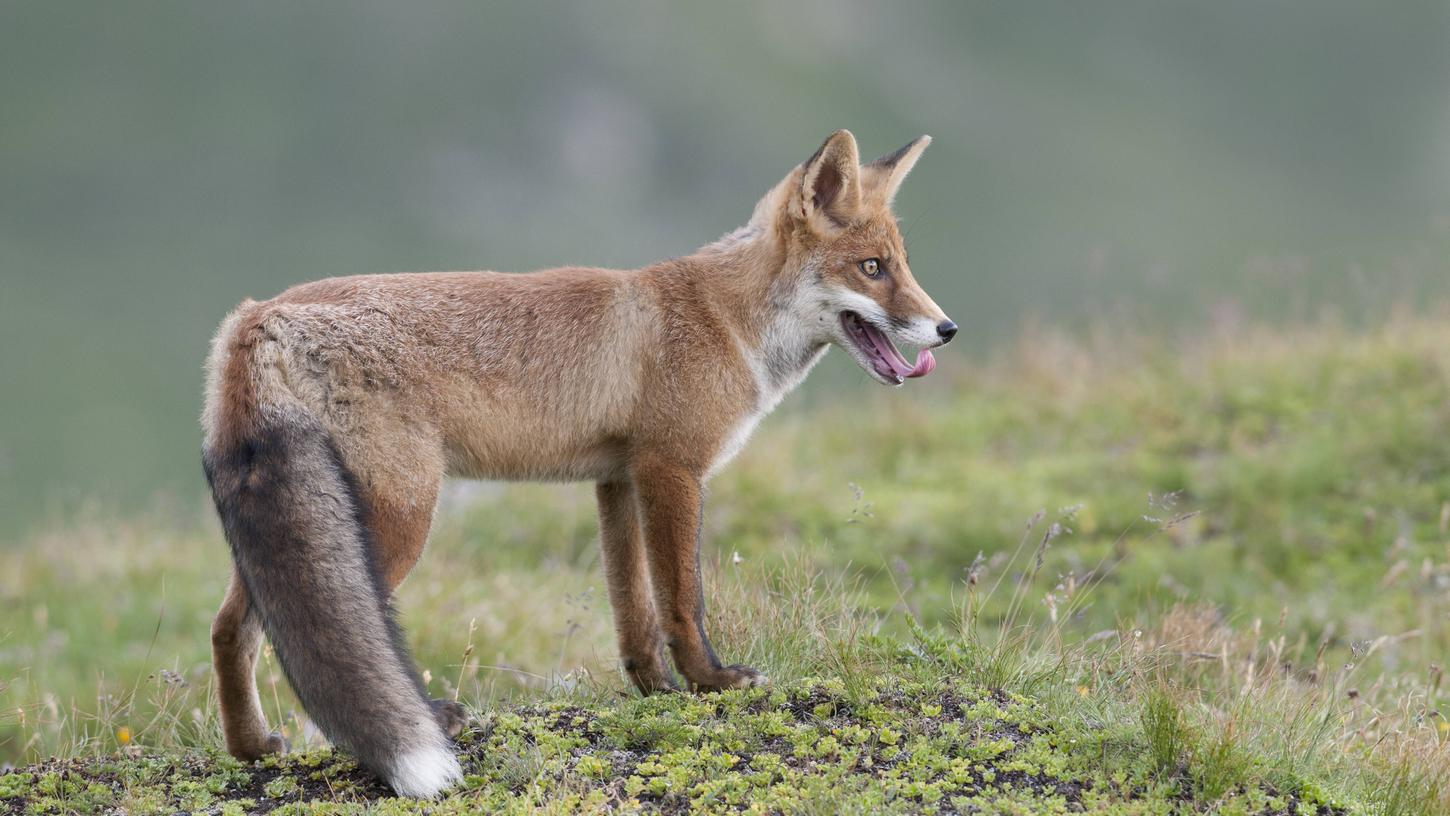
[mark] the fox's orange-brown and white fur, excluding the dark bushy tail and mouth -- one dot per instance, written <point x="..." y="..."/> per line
<point x="645" y="380"/>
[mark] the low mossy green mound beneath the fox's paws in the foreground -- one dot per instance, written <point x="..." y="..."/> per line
<point x="911" y="747"/>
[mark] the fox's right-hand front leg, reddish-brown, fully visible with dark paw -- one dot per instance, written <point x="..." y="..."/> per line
<point x="671" y="505"/>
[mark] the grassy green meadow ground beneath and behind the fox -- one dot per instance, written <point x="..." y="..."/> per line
<point x="1101" y="576"/>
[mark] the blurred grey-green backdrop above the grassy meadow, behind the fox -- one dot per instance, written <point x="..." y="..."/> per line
<point x="1162" y="165"/>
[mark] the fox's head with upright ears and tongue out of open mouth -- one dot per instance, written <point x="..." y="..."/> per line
<point x="853" y="286"/>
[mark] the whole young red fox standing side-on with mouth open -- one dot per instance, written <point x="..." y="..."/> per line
<point x="334" y="412"/>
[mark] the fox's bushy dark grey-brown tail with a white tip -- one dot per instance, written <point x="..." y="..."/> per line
<point x="292" y="517"/>
